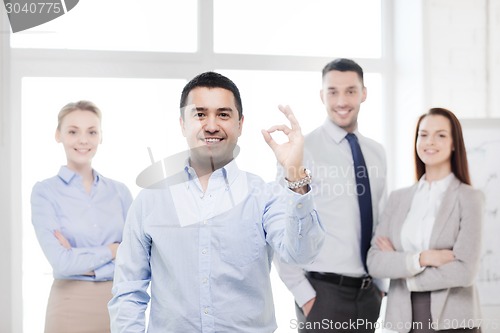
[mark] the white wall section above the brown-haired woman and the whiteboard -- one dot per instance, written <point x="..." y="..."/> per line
<point x="457" y="56"/>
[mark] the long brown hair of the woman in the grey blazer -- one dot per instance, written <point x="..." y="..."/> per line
<point x="459" y="165"/>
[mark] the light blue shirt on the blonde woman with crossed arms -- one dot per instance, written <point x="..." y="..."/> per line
<point x="89" y="221"/>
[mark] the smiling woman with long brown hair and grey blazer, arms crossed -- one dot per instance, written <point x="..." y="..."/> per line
<point x="428" y="240"/>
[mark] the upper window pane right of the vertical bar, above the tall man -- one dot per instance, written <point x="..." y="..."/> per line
<point x="298" y="27"/>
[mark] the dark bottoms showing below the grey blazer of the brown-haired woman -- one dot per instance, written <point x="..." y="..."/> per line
<point x="421" y="314"/>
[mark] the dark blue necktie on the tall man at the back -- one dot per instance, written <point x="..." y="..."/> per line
<point x="364" y="195"/>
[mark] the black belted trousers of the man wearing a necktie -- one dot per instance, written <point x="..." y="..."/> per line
<point x="341" y="309"/>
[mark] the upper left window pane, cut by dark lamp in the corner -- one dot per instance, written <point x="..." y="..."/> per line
<point x="118" y="25"/>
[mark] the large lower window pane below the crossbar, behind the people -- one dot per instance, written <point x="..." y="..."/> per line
<point x="147" y="117"/>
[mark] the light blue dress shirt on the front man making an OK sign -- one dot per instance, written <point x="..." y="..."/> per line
<point x="207" y="255"/>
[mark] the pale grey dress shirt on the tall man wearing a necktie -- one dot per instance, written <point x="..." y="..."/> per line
<point x="328" y="156"/>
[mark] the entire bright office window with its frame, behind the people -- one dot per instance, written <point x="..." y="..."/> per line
<point x="140" y="99"/>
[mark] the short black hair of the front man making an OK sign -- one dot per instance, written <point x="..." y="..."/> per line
<point x="211" y="80"/>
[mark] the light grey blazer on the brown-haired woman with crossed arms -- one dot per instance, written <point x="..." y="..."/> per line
<point x="458" y="226"/>
